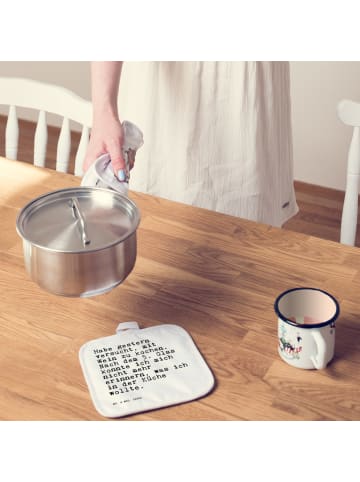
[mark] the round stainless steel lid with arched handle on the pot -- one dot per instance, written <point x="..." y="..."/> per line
<point x="78" y="219"/>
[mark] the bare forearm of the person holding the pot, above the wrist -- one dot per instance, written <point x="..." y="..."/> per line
<point x="105" y="78"/>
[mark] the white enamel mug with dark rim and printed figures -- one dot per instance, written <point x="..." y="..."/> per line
<point x="306" y="327"/>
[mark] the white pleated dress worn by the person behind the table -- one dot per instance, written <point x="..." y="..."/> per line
<point x="216" y="135"/>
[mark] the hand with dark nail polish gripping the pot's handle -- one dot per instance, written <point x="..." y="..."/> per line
<point x="107" y="136"/>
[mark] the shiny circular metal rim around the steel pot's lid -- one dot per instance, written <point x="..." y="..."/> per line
<point x="70" y="189"/>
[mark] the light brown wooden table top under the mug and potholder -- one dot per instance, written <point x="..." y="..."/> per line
<point x="216" y="276"/>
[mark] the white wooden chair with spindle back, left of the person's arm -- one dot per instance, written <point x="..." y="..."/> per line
<point x="20" y="92"/>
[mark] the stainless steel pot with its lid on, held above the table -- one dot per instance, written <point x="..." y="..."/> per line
<point x="79" y="241"/>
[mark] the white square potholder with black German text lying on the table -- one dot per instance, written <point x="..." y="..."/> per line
<point x="143" y="369"/>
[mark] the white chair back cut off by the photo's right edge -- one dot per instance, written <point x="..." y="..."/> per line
<point x="349" y="114"/>
